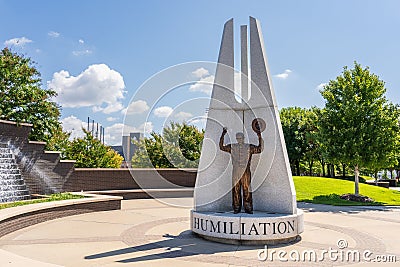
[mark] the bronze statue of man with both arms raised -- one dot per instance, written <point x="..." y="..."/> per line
<point x="241" y="154"/>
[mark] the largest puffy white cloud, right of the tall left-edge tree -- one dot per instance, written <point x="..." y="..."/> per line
<point x="98" y="87"/>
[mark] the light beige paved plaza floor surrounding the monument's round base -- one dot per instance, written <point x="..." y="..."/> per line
<point x="149" y="233"/>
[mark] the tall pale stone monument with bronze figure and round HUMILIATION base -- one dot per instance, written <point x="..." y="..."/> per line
<point x="270" y="212"/>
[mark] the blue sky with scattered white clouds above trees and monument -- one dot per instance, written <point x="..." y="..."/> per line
<point x="101" y="56"/>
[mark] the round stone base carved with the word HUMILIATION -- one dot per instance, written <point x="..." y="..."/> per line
<point x="248" y="229"/>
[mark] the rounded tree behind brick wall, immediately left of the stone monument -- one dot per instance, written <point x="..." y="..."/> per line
<point x="178" y="146"/>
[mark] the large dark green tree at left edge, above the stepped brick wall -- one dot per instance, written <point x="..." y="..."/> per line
<point x="22" y="99"/>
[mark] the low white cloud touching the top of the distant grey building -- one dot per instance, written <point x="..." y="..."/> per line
<point x="113" y="134"/>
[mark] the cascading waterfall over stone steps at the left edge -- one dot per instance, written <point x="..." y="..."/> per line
<point x="12" y="186"/>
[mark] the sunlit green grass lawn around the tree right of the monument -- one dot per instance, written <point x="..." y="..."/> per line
<point x="322" y="190"/>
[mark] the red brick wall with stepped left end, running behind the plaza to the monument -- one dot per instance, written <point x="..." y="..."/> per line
<point x="45" y="173"/>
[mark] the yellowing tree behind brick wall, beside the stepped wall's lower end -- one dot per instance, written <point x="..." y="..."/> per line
<point x="89" y="152"/>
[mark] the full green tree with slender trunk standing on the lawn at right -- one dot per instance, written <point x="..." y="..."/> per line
<point x="358" y="126"/>
